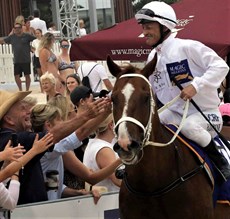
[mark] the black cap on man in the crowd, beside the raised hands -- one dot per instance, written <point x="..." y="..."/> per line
<point x="81" y="92"/>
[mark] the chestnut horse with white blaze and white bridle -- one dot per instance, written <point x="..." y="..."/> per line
<point x="159" y="182"/>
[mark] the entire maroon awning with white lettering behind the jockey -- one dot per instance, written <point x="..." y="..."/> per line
<point x="203" y="20"/>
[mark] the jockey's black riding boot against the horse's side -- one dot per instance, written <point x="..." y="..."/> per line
<point x="218" y="159"/>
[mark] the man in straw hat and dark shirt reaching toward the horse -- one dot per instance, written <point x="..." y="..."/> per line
<point x="14" y="117"/>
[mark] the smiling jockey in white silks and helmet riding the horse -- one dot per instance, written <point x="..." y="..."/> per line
<point x="193" y="65"/>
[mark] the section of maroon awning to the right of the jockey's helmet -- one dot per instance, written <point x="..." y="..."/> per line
<point x="207" y="21"/>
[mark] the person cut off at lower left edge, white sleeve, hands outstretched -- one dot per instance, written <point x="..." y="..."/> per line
<point x="9" y="197"/>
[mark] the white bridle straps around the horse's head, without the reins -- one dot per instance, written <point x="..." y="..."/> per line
<point x="148" y="128"/>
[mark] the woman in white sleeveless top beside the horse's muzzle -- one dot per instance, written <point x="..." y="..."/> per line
<point x="99" y="153"/>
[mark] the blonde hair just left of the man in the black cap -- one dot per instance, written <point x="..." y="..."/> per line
<point x="62" y="103"/>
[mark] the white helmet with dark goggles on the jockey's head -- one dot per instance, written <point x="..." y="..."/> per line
<point x="157" y="11"/>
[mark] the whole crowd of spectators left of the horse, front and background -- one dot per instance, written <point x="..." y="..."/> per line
<point x="46" y="161"/>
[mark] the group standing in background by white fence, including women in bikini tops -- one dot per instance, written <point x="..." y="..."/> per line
<point x="31" y="35"/>
